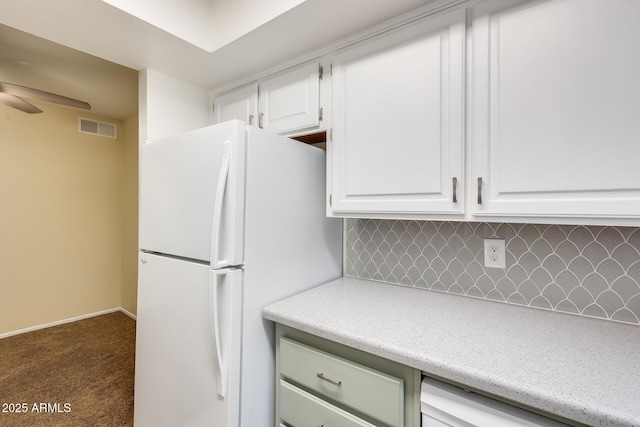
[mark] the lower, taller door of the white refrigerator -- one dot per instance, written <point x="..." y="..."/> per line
<point x="176" y="379"/>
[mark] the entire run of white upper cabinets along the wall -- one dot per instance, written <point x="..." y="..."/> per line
<point x="546" y="130"/>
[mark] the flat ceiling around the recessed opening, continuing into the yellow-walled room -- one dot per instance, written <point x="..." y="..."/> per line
<point x="101" y="30"/>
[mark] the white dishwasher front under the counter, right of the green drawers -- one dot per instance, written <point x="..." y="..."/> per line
<point x="444" y="405"/>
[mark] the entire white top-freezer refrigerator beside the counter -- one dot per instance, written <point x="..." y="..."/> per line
<point x="231" y="219"/>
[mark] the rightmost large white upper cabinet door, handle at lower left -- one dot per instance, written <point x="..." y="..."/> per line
<point x="556" y="96"/>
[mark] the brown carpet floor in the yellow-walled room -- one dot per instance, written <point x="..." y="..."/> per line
<point x="78" y="374"/>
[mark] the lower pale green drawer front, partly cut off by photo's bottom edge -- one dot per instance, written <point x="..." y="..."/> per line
<point x="301" y="409"/>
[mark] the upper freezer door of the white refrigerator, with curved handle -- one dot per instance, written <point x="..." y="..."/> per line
<point x="192" y="194"/>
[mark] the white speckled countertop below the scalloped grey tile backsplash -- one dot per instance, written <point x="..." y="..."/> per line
<point x="583" y="369"/>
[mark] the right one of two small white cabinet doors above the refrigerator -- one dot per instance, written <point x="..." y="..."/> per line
<point x="290" y="101"/>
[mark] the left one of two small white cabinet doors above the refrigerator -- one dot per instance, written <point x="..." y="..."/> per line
<point x="238" y="104"/>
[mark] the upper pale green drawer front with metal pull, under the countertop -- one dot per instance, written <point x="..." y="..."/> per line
<point x="374" y="393"/>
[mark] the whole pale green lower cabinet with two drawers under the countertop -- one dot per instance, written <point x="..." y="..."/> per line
<point x="321" y="382"/>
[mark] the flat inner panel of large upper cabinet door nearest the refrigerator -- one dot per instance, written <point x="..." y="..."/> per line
<point x="384" y="80"/>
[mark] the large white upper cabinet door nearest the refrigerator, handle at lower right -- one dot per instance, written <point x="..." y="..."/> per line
<point x="397" y="145"/>
